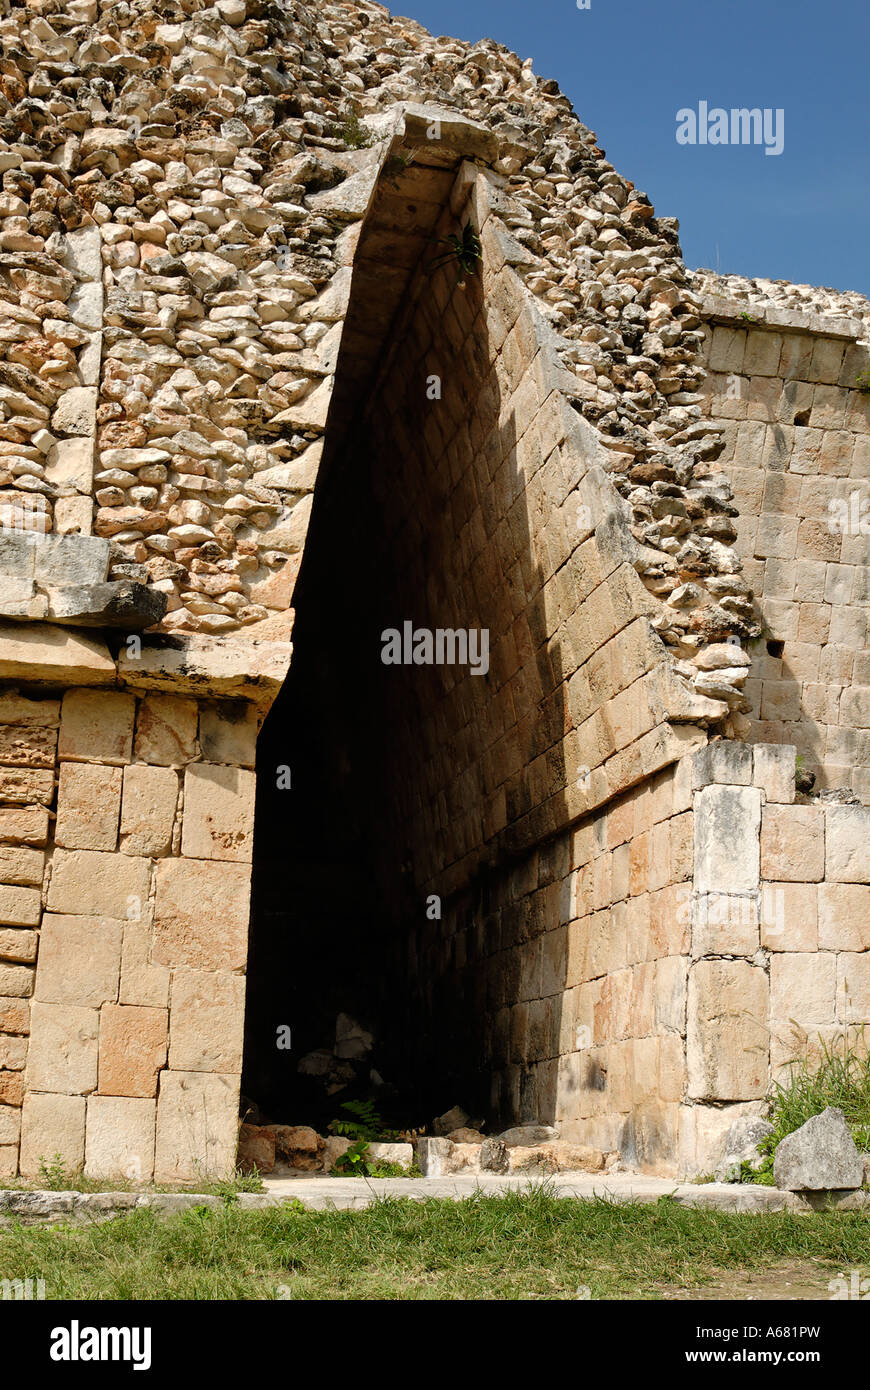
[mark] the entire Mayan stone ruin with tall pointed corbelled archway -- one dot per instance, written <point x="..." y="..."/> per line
<point x="577" y="889"/>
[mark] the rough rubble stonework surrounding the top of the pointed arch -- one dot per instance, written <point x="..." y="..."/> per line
<point x="183" y="191"/>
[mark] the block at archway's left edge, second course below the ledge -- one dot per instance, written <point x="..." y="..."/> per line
<point x="219" y="821"/>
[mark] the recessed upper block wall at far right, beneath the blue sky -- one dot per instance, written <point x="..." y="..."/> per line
<point x="797" y="429"/>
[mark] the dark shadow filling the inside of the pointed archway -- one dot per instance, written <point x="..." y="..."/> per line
<point x="383" y="885"/>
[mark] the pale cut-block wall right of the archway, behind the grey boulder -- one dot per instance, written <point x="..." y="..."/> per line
<point x="779" y="936"/>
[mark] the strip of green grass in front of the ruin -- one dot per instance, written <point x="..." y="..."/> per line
<point x="519" y="1246"/>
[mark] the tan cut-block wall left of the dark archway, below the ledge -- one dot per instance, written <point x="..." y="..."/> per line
<point x="126" y="842"/>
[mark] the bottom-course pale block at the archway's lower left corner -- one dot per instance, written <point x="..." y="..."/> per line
<point x="197" y="1127"/>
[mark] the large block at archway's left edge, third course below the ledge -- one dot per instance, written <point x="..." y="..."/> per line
<point x="201" y="915"/>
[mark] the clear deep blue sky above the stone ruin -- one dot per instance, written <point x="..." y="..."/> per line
<point x="629" y="66"/>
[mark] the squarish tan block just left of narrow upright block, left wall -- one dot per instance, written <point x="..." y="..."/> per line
<point x="80" y="961"/>
